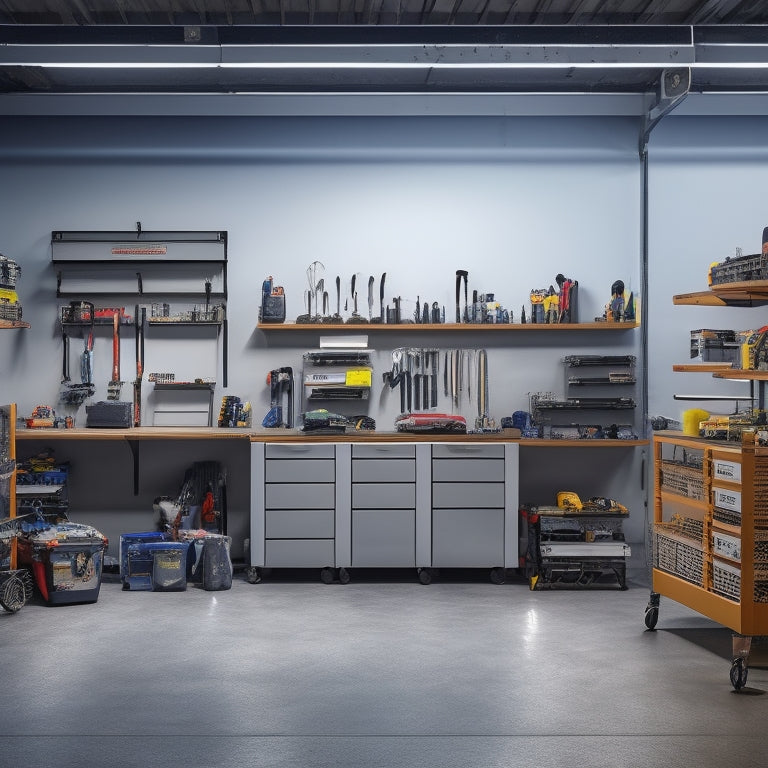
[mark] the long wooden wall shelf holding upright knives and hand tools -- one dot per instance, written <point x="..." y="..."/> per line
<point x="445" y="327"/>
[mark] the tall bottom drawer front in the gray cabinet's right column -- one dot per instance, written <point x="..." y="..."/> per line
<point x="468" y="538"/>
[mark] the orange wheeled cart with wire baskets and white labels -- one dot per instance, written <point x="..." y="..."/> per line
<point x="710" y="535"/>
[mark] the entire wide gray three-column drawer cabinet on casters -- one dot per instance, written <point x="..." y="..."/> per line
<point x="336" y="506"/>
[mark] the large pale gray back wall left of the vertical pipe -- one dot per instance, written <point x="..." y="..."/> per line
<point x="513" y="200"/>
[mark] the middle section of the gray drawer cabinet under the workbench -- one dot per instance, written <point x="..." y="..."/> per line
<point x="390" y="524"/>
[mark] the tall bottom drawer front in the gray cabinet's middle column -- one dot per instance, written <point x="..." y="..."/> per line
<point x="384" y="538"/>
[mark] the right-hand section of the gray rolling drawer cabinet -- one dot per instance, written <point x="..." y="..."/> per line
<point x="474" y="506"/>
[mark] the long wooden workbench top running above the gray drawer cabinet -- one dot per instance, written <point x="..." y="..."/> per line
<point x="292" y="436"/>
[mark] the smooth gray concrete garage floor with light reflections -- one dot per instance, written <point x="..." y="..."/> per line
<point x="380" y="672"/>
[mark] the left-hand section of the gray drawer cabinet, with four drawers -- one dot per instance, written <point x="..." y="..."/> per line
<point x="297" y="506"/>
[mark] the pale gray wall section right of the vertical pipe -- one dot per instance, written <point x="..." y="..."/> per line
<point x="707" y="181"/>
